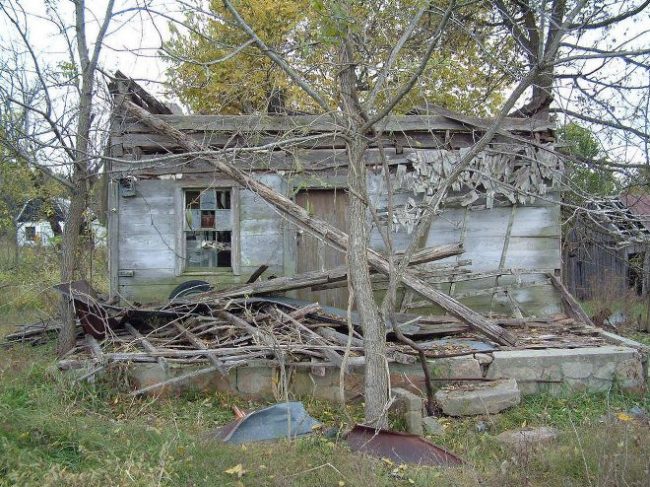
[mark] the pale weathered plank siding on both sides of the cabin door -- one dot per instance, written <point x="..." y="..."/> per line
<point x="523" y="239"/>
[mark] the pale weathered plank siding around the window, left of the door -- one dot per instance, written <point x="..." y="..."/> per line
<point x="148" y="248"/>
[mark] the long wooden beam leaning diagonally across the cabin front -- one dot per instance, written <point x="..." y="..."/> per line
<point x="321" y="229"/>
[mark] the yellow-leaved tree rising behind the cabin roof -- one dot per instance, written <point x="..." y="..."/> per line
<point x="216" y="69"/>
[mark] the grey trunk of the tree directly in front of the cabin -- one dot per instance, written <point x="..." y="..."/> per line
<point x="374" y="328"/>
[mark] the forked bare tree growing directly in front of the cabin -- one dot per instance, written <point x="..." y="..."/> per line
<point x="546" y="35"/>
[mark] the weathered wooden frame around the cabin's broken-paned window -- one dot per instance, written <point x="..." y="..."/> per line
<point x="181" y="267"/>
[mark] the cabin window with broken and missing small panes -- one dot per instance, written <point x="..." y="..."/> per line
<point x="208" y="228"/>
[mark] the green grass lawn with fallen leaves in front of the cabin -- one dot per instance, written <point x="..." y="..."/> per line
<point x="56" y="432"/>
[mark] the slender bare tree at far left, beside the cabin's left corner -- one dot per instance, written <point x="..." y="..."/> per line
<point x="64" y="114"/>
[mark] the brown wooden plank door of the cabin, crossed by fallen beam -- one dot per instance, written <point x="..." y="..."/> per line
<point x="314" y="255"/>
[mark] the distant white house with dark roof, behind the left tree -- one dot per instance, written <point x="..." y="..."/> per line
<point x="35" y="228"/>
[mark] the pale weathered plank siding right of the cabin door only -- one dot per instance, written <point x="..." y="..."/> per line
<point x="524" y="240"/>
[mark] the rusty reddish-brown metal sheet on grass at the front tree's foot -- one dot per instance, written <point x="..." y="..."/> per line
<point x="399" y="447"/>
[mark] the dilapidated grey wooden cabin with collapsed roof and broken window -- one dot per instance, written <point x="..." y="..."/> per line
<point x="173" y="219"/>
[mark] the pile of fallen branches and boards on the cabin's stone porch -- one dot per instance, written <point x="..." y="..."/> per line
<point x="226" y="329"/>
